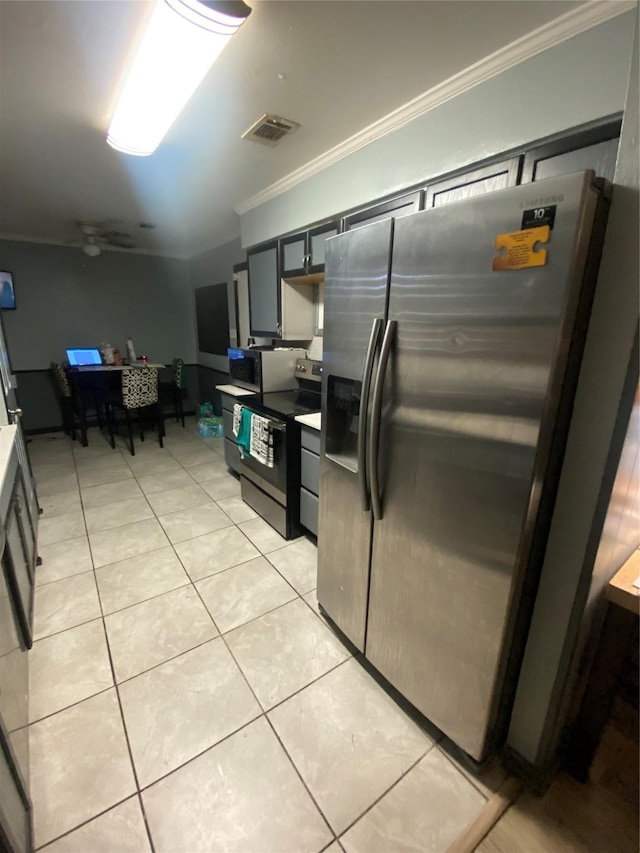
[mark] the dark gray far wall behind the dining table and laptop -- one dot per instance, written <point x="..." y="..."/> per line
<point x="65" y="298"/>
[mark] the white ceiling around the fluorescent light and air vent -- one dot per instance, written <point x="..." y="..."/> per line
<point x="334" y="66"/>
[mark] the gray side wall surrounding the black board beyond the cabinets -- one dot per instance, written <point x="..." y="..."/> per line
<point x="213" y="267"/>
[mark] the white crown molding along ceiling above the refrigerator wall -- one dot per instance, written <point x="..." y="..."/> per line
<point x="572" y="23"/>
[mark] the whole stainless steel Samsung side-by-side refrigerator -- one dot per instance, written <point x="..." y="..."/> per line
<point x="452" y="346"/>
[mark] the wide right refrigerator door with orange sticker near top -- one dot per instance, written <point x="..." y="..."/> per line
<point x="479" y="362"/>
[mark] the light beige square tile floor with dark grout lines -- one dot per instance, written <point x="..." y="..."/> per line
<point x="186" y="693"/>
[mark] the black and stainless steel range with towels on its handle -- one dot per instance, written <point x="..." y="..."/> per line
<point x="274" y="493"/>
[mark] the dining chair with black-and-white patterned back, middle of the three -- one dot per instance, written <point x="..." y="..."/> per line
<point x="139" y="395"/>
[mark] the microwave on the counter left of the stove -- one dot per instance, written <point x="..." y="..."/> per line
<point x="264" y="369"/>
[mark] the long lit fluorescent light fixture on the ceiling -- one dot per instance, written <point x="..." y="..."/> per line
<point x="181" y="43"/>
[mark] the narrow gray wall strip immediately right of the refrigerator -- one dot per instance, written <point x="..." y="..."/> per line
<point x="561" y="616"/>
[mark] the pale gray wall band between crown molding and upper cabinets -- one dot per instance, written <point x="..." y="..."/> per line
<point x="578" y="81"/>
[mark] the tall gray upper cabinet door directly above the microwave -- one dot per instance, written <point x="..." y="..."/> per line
<point x="264" y="291"/>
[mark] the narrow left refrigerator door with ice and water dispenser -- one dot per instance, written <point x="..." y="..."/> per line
<point x="356" y="287"/>
